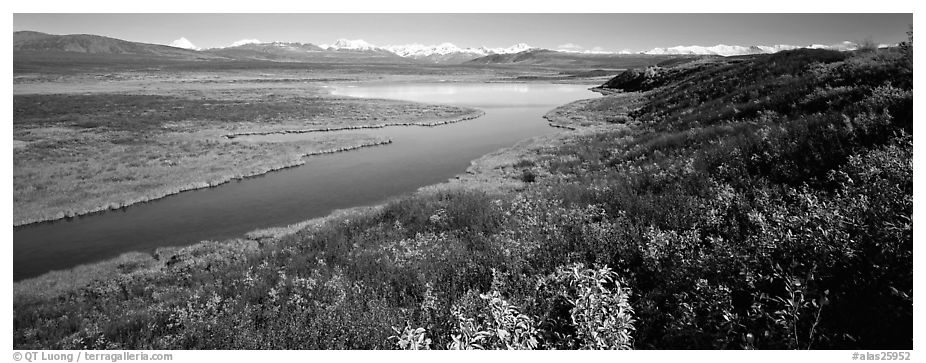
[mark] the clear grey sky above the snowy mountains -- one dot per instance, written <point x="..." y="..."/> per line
<point x="612" y="32"/>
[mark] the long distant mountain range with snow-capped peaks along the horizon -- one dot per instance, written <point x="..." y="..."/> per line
<point x="359" y="51"/>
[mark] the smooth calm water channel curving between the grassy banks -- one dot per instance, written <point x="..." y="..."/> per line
<point x="417" y="157"/>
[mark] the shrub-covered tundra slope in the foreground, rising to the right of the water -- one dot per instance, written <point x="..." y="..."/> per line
<point x="758" y="202"/>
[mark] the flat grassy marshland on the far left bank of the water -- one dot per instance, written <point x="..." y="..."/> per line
<point x="132" y="141"/>
